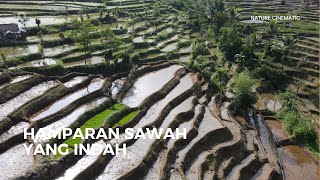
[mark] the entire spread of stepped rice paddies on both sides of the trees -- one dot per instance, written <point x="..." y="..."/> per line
<point x="49" y="83"/>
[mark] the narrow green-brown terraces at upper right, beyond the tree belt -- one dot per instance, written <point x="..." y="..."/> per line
<point x="303" y="62"/>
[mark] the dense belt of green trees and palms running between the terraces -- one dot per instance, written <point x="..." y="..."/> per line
<point x="263" y="51"/>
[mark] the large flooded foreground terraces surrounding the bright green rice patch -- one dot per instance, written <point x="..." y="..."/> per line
<point x="177" y="102"/>
